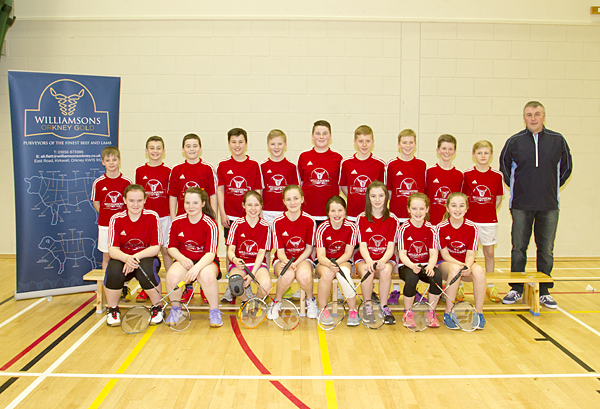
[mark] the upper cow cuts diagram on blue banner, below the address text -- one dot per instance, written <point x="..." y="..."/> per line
<point x="56" y="192"/>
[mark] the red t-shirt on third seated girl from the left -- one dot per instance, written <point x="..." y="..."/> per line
<point x="249" y="240"/>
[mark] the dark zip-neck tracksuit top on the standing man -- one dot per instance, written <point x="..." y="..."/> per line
<point x="534" y="171"/>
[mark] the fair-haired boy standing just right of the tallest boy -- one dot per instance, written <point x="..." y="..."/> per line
<point x="359" y="170"/>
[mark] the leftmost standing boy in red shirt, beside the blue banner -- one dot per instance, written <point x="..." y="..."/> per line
<point x="107" y="195"/>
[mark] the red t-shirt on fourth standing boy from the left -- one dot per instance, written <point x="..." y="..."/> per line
<point x="237" y="178"/>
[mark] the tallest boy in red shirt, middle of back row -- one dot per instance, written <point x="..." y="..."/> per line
<point x="319" y="172"/>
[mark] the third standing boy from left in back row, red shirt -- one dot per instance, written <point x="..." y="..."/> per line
<point x="193" y="172"/>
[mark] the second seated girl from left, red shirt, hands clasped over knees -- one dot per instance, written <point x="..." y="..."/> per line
<point x="193" y="241"/>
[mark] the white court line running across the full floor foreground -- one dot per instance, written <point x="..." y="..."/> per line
<point x="272" y="377"/>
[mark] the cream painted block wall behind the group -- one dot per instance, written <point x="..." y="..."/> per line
<point x="209" y="75"/>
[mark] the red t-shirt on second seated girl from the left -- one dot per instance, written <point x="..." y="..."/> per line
<point x="194" y="240"/>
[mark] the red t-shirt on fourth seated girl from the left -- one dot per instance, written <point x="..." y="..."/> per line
<point x="293" y="236"/>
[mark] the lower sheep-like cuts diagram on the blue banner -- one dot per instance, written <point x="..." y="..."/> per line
<point x="68" y="249"/>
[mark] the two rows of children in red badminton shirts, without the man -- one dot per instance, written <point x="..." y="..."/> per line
<point x="401" y="216"/>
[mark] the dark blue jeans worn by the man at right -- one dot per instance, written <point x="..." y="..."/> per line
<point x="544" y="229"/>
